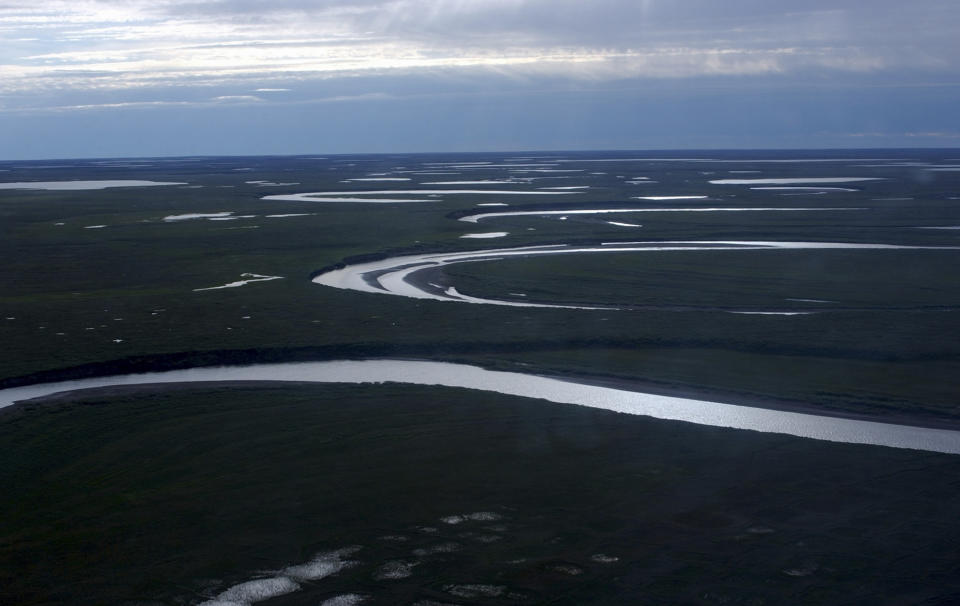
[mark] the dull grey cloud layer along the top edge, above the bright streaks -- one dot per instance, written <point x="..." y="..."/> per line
<point x="633" y="22"/>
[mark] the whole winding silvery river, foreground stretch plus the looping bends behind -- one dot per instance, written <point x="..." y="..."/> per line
<point x="399" y="276"/>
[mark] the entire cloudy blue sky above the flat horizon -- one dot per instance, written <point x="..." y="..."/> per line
<point x="120" y="78"/>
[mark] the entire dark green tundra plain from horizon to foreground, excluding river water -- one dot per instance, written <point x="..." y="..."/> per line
<point x="174" y="495"/>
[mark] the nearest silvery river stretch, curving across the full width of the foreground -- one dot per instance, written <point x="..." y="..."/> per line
<point x="554" y="390"/>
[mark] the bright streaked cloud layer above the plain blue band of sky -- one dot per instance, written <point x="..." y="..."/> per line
<point x="227" y="48"/>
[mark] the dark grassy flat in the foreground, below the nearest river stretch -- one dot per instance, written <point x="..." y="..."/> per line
<point x="171" y="496"/>
